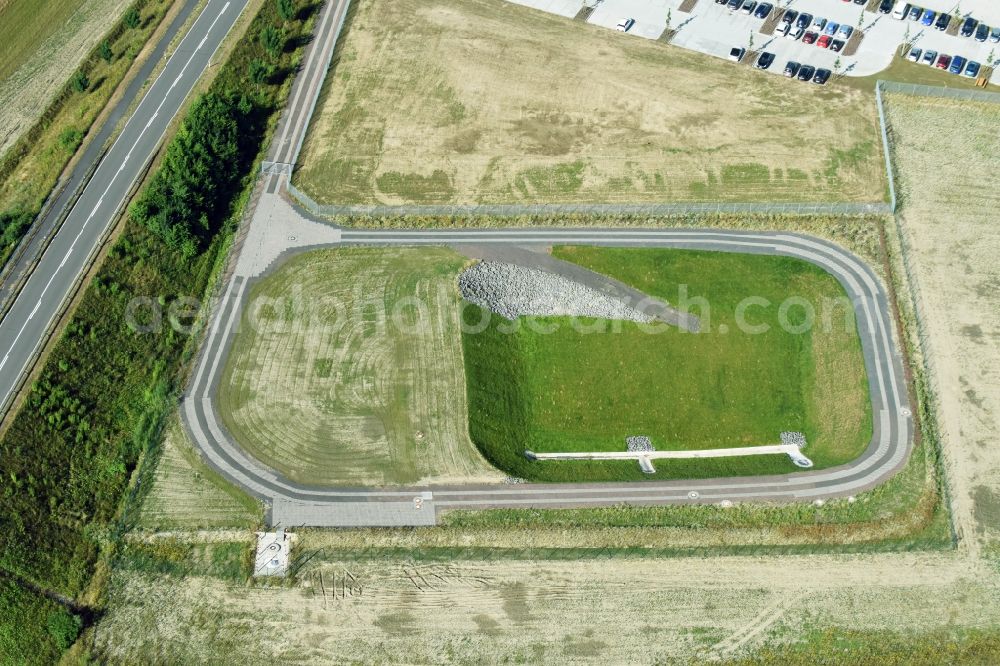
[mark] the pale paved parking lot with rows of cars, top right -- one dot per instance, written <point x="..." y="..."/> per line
<point x="713" y="29"/>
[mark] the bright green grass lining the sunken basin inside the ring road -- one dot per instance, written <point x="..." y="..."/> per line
<point x="552" y="387"/>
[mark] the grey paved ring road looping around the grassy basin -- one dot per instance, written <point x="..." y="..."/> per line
<point x="294" y="503"/>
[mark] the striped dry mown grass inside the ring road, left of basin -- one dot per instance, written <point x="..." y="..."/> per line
<point x="348" y="370"/>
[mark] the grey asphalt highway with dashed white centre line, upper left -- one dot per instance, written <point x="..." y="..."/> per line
<point x="69" y="254"/>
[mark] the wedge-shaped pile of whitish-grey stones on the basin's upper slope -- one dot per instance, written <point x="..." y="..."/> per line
<point x="513" y="291"/>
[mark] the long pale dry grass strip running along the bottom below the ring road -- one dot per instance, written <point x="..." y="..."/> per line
<point x="602" y="612"/>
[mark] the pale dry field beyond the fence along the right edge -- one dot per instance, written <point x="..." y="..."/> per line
<point x="947" y="155"/>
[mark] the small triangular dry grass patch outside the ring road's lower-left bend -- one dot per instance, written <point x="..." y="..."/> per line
<point x="187" y="494"/>
